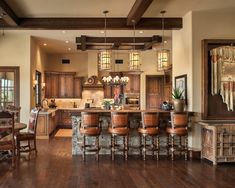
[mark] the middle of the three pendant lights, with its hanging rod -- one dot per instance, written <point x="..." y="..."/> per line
<point x="134" y="55"/>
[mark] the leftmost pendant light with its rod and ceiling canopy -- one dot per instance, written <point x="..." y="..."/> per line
<point x="105" y="55"/>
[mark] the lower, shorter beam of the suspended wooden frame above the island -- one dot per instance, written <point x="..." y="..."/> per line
<point x="102" y="47"/>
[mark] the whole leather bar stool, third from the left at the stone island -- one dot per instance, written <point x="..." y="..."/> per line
<point x="150" y="123"/>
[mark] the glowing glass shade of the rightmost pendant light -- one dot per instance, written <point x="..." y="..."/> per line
<point x="163" y="60"/>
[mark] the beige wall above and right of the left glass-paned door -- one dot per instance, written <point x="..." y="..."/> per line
<point x="15" y="51"/>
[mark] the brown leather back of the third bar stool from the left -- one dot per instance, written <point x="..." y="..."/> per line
<point x="150" y="119"/>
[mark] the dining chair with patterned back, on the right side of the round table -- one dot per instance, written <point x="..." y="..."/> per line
<point x="24" y="139"/>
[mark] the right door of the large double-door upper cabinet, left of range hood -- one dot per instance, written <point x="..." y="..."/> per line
<point x="66" y="85"/>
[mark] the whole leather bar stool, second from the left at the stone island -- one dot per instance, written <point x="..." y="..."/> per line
<point x="119" y="127"/>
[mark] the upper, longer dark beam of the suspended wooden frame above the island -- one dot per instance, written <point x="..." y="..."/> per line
<point x="155" y="38"/>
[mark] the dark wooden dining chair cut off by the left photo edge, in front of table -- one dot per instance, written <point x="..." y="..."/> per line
<point x="7" y="134"/>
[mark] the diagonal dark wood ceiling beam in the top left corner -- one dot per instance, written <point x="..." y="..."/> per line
<point x="8" y="15"/>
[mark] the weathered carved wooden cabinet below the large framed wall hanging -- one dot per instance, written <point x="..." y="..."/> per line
<point x="218" y="142"/>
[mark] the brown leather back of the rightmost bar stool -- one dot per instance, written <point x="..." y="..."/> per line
<point x="179" y="119"/>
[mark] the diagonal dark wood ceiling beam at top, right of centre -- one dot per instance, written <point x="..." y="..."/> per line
<point x="137" y="11"/>
